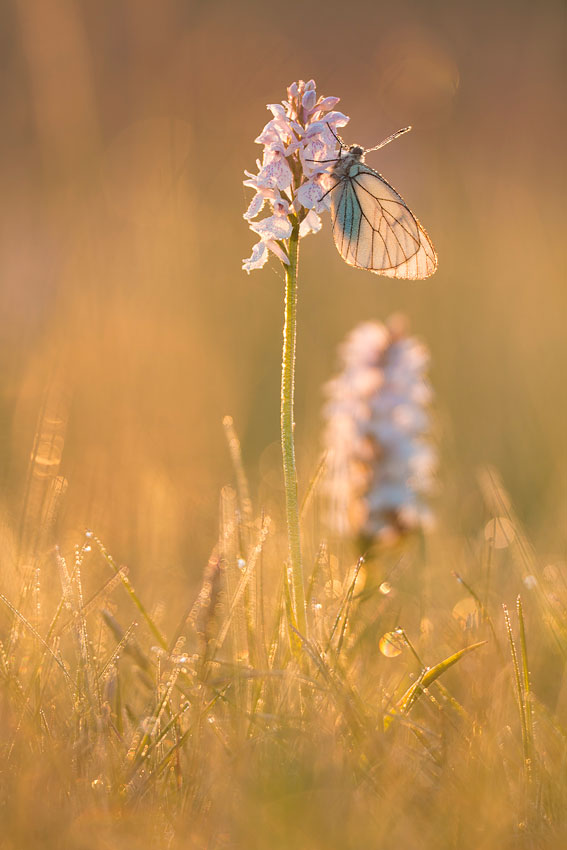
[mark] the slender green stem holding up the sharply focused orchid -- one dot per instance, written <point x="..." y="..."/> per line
<point x="287" y="423"/>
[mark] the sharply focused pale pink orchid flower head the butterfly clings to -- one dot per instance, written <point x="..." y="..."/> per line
<point x="291" y="177"/>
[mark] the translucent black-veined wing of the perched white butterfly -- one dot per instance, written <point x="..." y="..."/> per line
<point x="374" y="228"/>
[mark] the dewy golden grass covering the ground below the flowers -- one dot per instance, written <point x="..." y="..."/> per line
<point x="231" y="729"/>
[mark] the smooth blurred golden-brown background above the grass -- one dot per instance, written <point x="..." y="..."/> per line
<point x="126" y="318"/>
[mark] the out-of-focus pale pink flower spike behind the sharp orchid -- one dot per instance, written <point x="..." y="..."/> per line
<point x="381" y="460"/>
